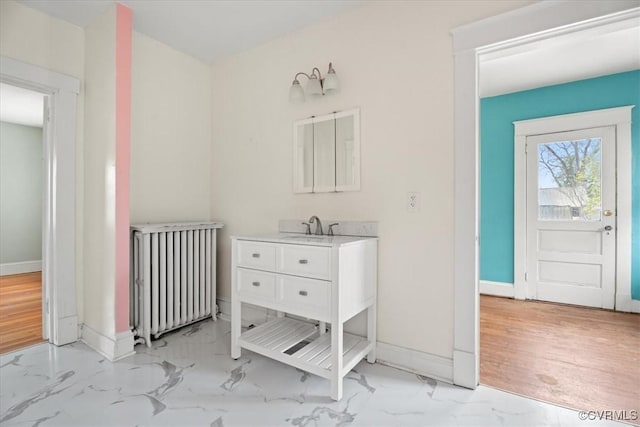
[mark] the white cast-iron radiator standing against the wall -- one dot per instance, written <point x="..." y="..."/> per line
<point x="173" y="276"/>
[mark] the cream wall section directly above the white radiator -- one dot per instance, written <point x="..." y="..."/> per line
<point x="170" y="134"/>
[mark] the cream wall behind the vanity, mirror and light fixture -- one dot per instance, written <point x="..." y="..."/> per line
<point x="394" y="60"/>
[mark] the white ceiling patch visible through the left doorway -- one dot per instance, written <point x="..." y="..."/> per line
<point x="20" y="106"/>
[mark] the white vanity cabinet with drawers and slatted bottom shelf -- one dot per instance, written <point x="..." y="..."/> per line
<point x="327" y="280"/>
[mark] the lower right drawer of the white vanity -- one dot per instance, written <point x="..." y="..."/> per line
<point x="301" y="295"/>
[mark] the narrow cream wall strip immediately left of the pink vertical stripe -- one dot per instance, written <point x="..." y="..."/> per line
<point x="99" y="179"/>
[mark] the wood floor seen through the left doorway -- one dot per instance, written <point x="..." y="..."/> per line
<point x="20" y="310"/>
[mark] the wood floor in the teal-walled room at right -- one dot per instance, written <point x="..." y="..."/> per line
<point x="576" y="357"/>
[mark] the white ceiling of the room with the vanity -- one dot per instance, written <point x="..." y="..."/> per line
<point x="208" y="30"/>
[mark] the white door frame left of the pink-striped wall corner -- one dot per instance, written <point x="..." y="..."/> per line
<point x="60" y="322"/>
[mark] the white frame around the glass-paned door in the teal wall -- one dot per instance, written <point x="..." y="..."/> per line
<point x="620" y="119"/>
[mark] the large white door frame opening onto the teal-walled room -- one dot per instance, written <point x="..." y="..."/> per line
<point x="539" y="21"/>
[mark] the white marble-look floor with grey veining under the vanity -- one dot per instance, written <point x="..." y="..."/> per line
<point x="188" y="379"/>
